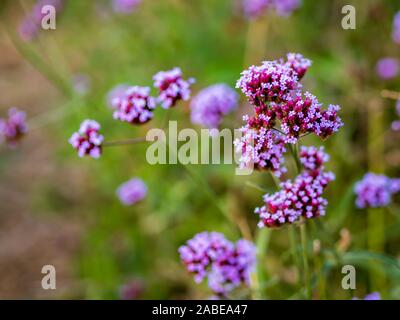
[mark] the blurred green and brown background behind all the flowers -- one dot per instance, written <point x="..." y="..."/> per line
<point x="58" y="209"/>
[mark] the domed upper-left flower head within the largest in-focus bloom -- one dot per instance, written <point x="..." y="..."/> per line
<point x="273" y="81"/>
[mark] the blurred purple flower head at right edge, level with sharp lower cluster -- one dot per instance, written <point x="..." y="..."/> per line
<point x="375" y="190"/>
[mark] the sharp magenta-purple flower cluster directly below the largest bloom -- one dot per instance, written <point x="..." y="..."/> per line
<point x="302" y="197"/>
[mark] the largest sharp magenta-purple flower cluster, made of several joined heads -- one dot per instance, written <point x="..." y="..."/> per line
<point x="274" y="90"/>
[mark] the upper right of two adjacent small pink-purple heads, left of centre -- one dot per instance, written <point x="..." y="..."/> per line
<point x="172" y="87"/>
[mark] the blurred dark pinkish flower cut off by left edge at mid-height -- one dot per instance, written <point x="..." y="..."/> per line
<point x="14" y="127"/>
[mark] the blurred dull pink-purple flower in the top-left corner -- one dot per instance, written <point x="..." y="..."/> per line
<point x="31" y="24"/>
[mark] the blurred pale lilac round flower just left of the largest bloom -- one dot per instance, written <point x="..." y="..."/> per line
<point x="211" y="104"/>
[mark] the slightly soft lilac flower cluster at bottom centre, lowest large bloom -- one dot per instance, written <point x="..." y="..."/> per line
<point x="225" y="264"/>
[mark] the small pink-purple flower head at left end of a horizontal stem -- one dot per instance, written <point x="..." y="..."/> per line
<point x="88" y="141"/>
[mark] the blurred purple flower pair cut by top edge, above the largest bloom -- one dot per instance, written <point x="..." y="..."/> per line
<point x="256" y="8"/>
